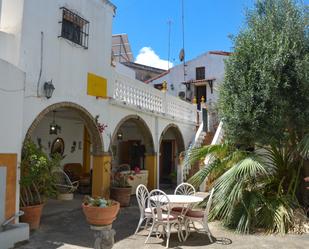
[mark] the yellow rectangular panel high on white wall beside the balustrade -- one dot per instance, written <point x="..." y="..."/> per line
<point x="96" y="86"/>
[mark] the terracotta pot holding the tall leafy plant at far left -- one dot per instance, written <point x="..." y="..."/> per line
<point x="32" y="215"/>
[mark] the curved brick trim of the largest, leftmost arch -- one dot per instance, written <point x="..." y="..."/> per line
<point x="89" y="121"/>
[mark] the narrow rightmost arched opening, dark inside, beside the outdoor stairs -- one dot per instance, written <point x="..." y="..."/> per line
<point x="171" y="145"/>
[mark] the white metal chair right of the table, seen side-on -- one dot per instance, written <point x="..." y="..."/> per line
<point x="201" y="217"/>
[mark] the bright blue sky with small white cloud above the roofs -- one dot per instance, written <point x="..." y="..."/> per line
<point x="208" y="25"/>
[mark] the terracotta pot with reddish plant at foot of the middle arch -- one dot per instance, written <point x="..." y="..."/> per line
<point x="121" y="190"/>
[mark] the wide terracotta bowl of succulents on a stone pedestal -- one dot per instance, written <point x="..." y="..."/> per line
<point x="99" y="211"/>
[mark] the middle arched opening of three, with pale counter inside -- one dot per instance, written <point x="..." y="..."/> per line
<point x="132" y="150"/>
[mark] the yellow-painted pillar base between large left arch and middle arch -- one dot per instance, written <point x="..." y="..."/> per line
<point x="101" y="172"/>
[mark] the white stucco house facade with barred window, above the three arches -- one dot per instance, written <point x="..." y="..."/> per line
<point x="27" y="24"/>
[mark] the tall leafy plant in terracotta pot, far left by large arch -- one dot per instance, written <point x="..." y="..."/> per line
<point x="36" y="182"/>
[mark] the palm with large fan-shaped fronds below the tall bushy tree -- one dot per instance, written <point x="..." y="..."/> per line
<point x="253" y="189"/>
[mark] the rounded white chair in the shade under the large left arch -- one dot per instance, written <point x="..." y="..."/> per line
<point x="63" y="182"/>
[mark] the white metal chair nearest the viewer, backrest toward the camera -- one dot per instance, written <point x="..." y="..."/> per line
<point x="159" y="204"/>
